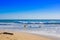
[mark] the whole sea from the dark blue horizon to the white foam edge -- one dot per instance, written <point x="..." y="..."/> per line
<point x="44" y="27"/>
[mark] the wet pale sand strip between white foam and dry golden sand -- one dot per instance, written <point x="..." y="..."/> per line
<point x="39" y="35"/>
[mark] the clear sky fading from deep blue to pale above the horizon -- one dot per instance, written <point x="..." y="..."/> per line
<point x="29" y="9"/>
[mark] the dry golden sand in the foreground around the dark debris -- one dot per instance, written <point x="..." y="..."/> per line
<point x="21" y="36"/>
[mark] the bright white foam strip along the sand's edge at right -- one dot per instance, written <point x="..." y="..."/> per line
<point x="44" y="33"/>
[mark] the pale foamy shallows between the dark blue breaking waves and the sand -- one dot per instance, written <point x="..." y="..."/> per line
<point x="44" y="29"/>
